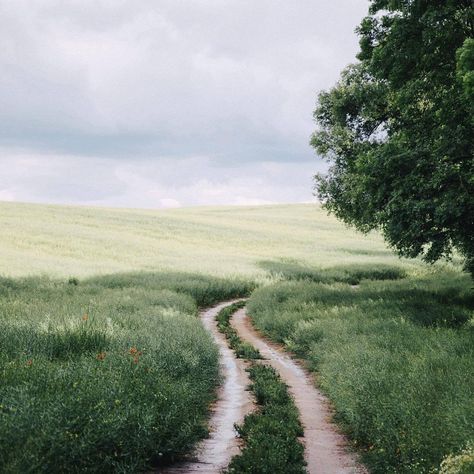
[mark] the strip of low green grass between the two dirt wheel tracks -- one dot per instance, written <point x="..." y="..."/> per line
<point x="270" y="434"/>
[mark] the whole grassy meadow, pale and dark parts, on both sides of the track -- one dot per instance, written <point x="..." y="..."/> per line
<point x="105" y="367"/>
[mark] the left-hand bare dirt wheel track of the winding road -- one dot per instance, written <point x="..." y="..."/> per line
<point x="213" y="454"/>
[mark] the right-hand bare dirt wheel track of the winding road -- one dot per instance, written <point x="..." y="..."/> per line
<point x="325" y="447"/>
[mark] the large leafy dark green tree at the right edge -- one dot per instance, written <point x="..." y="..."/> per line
<point x="398" y="129"/>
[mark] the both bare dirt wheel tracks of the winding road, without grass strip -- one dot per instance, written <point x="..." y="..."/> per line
<point x="325" y="448"/>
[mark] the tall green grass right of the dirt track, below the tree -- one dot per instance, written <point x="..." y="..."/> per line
<point x="394" y="357"/>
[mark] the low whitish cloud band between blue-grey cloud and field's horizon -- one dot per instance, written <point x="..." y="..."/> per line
<point x="150" y="183"/>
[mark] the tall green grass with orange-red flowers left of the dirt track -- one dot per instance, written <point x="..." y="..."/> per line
<point x="110" y="374"/>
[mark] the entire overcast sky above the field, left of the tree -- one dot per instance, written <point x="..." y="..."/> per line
<point x="162" y="103"/>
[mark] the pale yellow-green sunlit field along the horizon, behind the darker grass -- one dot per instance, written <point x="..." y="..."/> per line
<point x="78" y="241"/>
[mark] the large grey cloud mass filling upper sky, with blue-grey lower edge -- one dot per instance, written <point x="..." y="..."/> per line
<point x="235" y="79"/>
